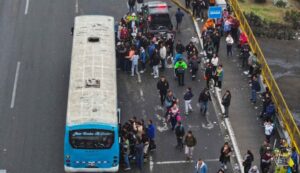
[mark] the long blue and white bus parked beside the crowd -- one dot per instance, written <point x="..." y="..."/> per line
<point x="91" y="135"/>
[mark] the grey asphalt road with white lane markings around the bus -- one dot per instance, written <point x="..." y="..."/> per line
<point x="34" y="62"/>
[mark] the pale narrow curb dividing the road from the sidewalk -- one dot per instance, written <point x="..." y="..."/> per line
<point x="227" y="122"/>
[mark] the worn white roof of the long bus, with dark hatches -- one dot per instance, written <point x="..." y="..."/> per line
<point x="92" y="88"/>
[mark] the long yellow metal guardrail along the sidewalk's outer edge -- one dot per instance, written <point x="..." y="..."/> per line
<point x="284" y="112"/>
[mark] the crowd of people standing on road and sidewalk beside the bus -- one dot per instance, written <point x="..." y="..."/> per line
<point x="137" y="49"/>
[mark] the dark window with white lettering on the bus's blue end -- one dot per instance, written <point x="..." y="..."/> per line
<point x="91" y="139"/>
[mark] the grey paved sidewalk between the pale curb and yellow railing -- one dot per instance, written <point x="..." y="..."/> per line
<point x="243" y="115"/>
